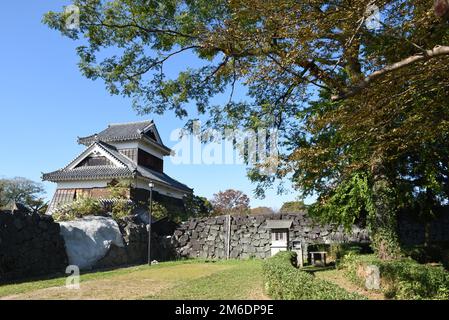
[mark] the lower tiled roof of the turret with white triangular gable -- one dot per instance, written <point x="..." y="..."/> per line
<point x="125" y="169"/>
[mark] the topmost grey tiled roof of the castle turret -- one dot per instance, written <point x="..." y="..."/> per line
<point x="126" y="132"/>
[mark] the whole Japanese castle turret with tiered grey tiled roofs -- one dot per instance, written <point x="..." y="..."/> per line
<point x="132" y="152"/>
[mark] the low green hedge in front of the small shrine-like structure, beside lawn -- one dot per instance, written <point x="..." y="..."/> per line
<point x="284" y="281"/>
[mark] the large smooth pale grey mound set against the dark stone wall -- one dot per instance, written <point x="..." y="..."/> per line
<point x="87" y="240"/>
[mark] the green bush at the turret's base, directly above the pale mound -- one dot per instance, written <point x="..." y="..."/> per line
<point x="79" y="208"/>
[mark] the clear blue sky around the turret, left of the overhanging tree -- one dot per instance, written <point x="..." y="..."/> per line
<point x="45" y="103"/>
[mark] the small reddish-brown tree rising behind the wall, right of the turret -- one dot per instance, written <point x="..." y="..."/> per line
<point x="230" y="202"/>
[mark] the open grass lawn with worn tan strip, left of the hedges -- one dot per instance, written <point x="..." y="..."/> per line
<point x="191" y="279"/>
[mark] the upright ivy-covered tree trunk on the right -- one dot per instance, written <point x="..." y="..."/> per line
<point x="384" y="236"/>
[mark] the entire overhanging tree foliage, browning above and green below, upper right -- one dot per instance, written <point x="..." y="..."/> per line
<point x="358" y="108"/>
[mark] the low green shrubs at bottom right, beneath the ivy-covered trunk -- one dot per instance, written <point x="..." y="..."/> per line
<point x="403" y="279"/>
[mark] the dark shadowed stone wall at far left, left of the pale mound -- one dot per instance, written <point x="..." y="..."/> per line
<point x="30" y="245"/>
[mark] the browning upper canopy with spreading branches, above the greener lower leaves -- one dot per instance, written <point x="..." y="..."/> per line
<point x="283" y="52"/>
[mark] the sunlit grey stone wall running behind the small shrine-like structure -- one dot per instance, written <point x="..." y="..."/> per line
<point x="206" y="237"/>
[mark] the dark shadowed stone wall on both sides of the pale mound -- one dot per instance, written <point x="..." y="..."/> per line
<point x="31" y="245"/>
